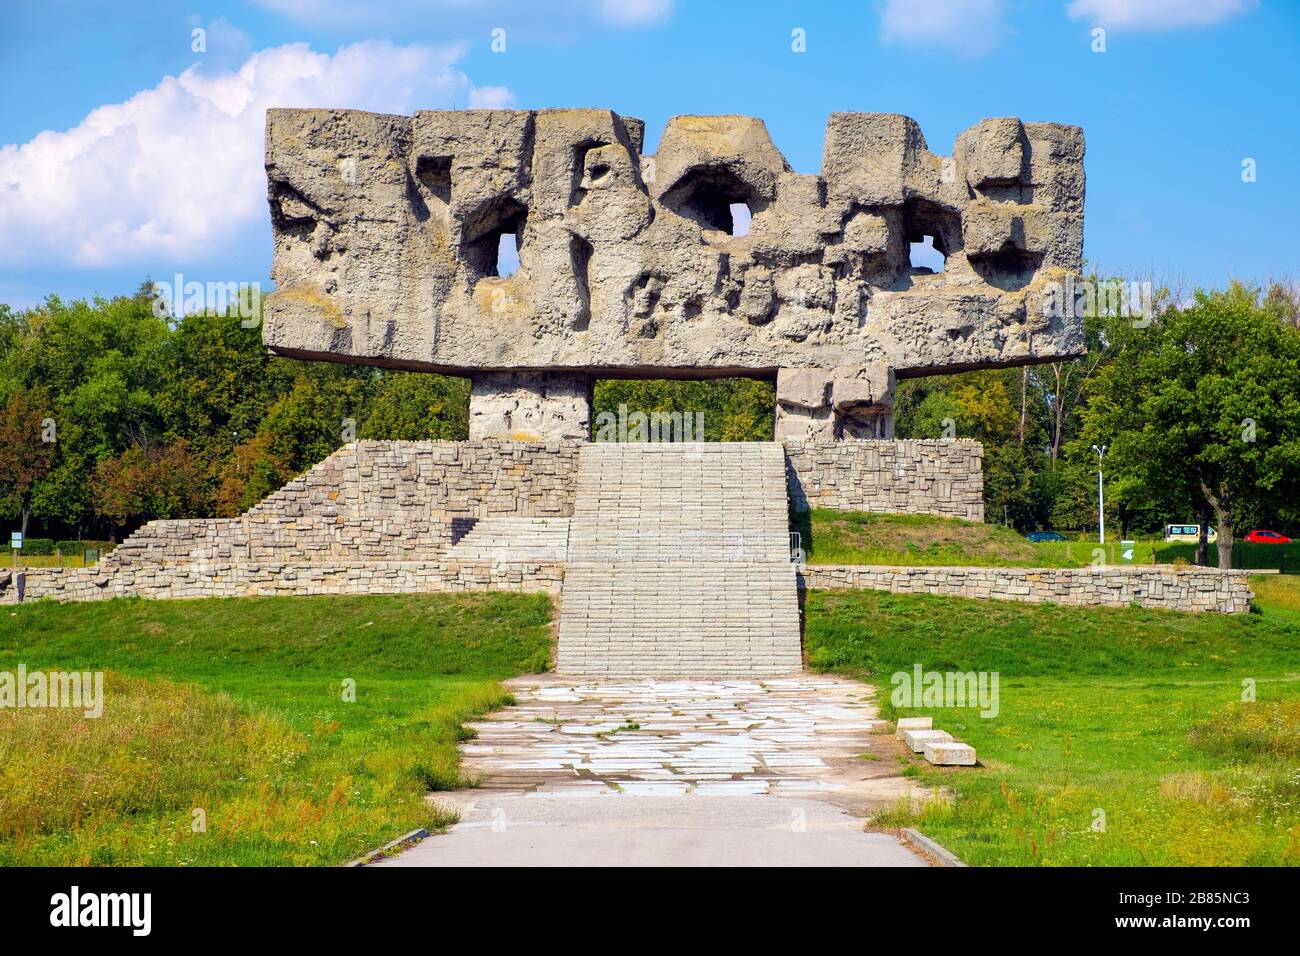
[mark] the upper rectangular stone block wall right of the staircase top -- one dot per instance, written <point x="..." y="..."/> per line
<point x="920" y="477"/>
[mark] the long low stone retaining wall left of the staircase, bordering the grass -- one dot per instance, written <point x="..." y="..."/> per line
<point x="198" y="579"/>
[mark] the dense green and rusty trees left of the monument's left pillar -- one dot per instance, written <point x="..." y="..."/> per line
<point x="112" y="416"/>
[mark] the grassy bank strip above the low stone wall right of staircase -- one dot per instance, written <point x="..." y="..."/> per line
<point x="860" y="538"/>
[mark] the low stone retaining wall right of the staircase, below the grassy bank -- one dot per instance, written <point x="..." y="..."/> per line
<point x="1164" y="587"/>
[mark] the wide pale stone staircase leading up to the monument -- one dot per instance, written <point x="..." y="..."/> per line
<point x="679" y="564"/>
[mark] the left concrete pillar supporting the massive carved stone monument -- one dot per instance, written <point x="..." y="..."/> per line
<point x="531" y="406"/>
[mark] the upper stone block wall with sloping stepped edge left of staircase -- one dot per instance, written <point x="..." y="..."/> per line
<point x="374" y="501"/>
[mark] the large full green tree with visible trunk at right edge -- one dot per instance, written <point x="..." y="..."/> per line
<point x="1206" y="403"/>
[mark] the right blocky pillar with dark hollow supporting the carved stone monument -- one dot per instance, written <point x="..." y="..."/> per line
<point x="846" y="404"/>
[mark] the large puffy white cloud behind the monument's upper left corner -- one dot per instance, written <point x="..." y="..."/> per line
<point x="175" y="175"/>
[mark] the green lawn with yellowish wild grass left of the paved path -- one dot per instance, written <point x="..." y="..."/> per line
<point x="236" y="707"/>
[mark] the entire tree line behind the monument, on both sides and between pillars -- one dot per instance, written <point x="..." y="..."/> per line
<point x="112" y="416"/>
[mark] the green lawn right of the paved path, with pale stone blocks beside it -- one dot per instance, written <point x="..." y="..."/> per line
<point x="1130" y="719"/>
